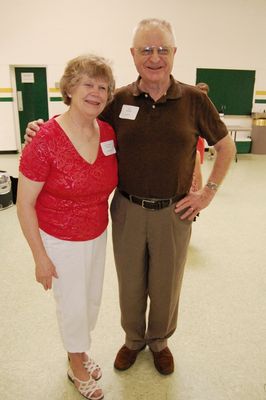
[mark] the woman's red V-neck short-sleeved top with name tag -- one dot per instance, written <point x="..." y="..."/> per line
<point x="73" y="203"/>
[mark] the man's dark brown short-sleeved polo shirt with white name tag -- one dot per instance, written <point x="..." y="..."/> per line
<point x="157" y="141"/>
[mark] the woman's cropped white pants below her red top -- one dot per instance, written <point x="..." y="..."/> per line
<point x="78" y="289"/>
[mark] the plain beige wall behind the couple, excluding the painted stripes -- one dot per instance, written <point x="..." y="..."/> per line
<point x="210" y="34"/>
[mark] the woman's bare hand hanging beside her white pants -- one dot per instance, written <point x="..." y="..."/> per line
<point x="45" y="272"/>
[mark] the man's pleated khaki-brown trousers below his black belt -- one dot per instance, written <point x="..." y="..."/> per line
<point x="150" y="250"/>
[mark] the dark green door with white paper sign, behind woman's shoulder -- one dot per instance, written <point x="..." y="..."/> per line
<point x="32" y="97"/>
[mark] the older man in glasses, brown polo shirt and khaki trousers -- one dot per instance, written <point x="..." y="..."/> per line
<point x="157" y="121"/>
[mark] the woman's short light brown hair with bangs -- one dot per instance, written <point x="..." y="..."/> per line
<point x="90" y="65"/>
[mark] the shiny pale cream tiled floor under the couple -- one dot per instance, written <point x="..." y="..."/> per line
<point x="220" y="344"/>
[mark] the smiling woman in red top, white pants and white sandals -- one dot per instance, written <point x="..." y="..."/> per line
<point x="66" y="176"/>
